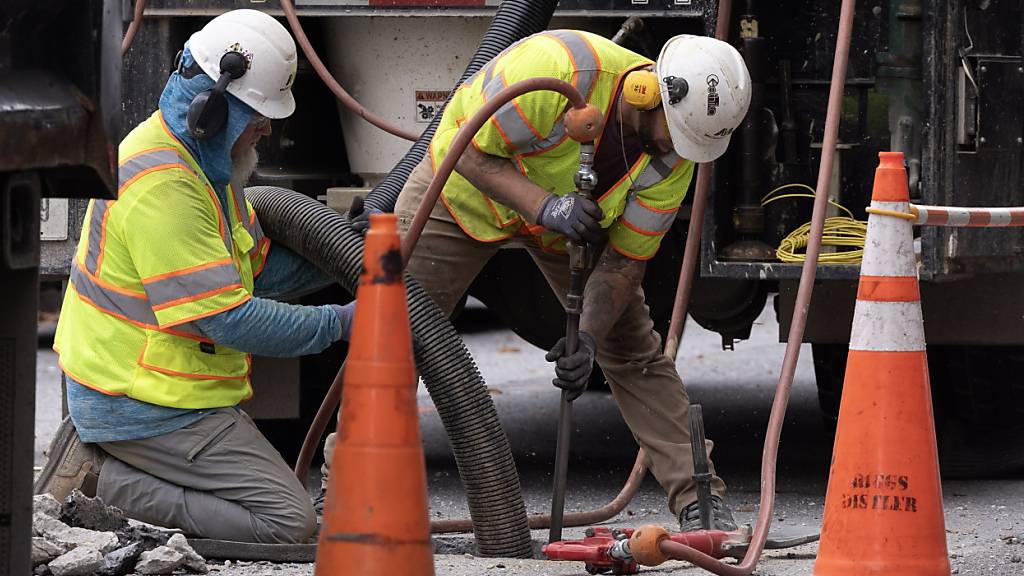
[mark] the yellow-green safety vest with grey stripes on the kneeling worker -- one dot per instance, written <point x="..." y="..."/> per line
<point x="148" y="265"/>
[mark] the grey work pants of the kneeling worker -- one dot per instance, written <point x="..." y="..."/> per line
<point x="218" y="478"/>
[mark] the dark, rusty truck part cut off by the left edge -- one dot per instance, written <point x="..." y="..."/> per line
<point x="60" y="126"/>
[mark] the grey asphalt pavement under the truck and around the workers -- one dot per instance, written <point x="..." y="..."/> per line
<point x="985" y="519"/>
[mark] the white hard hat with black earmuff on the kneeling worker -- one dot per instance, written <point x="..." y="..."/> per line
<point x="270" y="53"/>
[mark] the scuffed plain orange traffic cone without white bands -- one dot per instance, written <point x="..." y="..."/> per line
<point x="375" y="518"/>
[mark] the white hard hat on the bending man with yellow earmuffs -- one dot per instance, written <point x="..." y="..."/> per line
<point x="717" y="95"/>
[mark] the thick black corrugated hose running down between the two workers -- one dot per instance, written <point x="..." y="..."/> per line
<point x="455" y="385"/>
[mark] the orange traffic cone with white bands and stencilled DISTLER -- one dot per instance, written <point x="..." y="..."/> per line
<point x="884" y="507"/>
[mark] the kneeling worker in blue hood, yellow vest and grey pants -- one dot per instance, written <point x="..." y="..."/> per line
<point x="168" y="299"/>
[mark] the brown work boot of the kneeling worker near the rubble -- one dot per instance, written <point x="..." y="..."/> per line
<point x="70" y="465"/>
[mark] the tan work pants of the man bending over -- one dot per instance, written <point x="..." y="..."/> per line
<point x="645" y="382"/>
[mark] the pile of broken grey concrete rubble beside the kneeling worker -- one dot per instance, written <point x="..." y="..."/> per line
<point x="84" y="537"/>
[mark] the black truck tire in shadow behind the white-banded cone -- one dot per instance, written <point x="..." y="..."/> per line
<point x="978" y="399"/>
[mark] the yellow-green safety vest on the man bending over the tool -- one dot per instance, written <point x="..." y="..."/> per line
<point x="638" y="210"/>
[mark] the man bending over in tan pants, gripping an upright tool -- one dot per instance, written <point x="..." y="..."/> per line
<point x="515" y="189"/>
